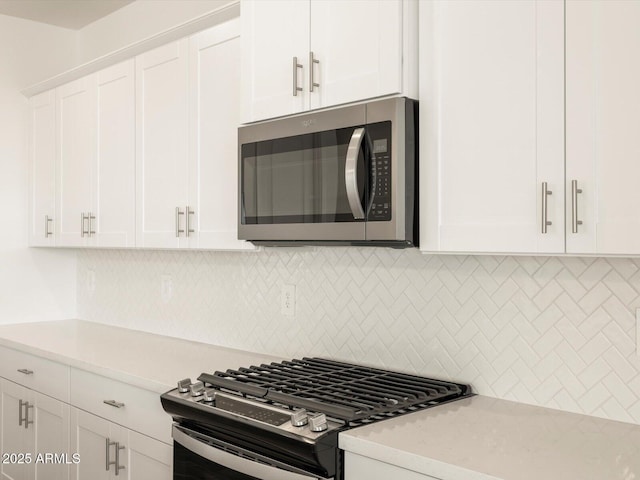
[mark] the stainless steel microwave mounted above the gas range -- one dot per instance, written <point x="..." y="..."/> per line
<point x="335" y="177"/>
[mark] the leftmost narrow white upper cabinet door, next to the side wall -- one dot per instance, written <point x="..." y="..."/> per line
<point x="42" y="151"/>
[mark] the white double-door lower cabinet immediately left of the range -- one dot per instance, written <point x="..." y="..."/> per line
<point x="107" y="449"/>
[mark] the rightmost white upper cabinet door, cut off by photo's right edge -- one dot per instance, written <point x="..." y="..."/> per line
<point x="603" y="121"/>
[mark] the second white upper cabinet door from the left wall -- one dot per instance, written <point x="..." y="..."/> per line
<point x="76" y="111"/>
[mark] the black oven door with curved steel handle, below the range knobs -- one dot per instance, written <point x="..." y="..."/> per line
<point x="200" y="457"/>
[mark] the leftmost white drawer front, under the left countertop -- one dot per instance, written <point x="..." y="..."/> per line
<point x="37" y="373"/>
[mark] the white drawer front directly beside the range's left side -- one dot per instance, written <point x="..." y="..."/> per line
<point x="129" y="406"/>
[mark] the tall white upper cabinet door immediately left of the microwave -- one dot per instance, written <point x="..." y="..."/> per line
<point x="215" y="98"/>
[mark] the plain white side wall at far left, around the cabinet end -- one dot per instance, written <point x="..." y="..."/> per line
<point x="34" y="284"/>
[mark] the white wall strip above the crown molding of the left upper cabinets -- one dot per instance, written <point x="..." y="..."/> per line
<point x="138" y="21"/>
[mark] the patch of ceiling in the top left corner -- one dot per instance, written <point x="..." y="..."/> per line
<point x="72" y="14"/>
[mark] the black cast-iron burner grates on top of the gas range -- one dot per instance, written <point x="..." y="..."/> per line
<point x="340" y="390"/>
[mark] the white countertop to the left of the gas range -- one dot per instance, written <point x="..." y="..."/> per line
<point x="149" y="361"/>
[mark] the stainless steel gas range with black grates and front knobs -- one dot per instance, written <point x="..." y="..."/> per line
<point x="281" y="421"/>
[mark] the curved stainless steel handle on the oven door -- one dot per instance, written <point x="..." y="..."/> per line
<point x="234" y="462"/>
